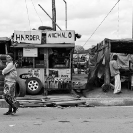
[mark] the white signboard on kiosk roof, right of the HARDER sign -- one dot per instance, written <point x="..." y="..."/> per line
<point x="60" y="37"/>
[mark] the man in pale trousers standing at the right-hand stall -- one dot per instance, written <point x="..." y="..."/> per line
<point x="114" y="69"/>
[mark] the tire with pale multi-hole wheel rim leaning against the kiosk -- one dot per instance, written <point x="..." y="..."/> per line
<point x="33" y="85"/>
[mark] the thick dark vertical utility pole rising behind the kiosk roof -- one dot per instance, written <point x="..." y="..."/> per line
<point x="53" y="15"/>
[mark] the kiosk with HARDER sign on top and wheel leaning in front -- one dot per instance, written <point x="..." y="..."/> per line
<point x="44" y="64"/>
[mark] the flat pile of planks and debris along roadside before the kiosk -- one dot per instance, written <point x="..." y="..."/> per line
<point x="51" y="102"/>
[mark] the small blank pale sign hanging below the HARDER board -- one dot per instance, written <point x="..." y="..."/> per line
<point x="30" y="52"/>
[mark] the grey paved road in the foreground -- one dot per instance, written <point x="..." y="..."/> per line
<point x="68" y="120"/>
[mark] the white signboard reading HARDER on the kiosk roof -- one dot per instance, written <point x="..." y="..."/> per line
<point x="28" y="36"/>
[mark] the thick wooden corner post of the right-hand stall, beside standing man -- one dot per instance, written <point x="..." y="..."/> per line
<point x="107" y="60"/>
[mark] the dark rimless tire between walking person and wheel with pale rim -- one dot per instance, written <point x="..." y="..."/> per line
<point x="19" y="91"/>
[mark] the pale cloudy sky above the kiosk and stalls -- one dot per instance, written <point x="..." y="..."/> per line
<point x="83" y="16"/>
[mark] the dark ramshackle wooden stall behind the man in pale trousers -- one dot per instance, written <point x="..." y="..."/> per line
<point x="100" y="56"/>
